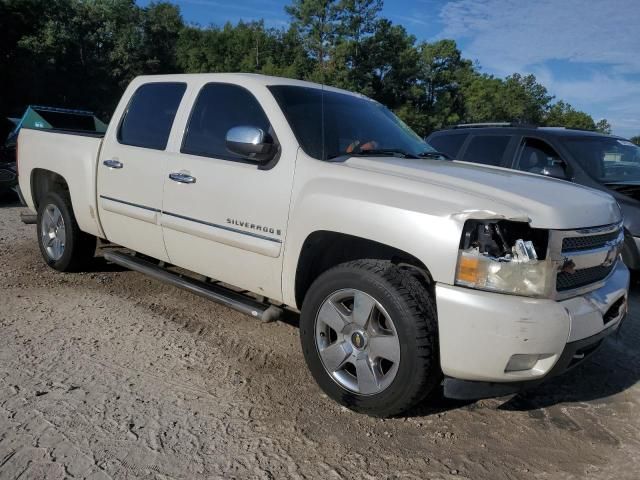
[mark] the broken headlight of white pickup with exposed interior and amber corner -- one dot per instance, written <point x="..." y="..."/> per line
<point x="504" y="256"/>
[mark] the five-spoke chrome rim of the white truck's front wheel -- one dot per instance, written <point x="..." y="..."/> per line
<point x="357" y="342"/>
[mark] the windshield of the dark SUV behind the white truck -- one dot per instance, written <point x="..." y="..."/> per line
<point x="606" y="159"/>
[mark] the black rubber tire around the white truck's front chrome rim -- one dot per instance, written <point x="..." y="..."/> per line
<point x="413" y="313"/>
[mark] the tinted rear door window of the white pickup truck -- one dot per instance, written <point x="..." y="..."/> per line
<point x="149" y="116"/>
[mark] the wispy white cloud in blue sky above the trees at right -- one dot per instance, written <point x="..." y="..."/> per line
<point x="508" y="36"/>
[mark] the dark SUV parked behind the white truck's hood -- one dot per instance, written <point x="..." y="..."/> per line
<point x="604" y="162"/>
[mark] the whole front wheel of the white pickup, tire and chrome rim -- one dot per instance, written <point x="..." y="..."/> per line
<point x="369" y="335"/>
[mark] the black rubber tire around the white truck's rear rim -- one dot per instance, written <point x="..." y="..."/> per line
<point x="79" y="247"/>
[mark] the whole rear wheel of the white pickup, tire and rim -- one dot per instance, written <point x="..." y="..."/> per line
<point x="63" y="245"/>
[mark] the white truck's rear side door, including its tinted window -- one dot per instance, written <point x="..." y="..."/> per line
<point x="132" y="164"/>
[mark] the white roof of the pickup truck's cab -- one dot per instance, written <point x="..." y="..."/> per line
<point x="255" y="79"/>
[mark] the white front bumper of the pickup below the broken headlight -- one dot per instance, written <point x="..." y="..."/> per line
<point x="480" y="331"/>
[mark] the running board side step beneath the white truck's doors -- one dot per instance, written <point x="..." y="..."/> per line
<point x="217" y="293"/>
